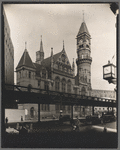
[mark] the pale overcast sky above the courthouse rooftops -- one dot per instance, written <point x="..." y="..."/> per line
<point x="58" y="22"/>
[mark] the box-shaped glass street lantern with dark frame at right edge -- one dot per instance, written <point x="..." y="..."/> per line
<point x="109" y="73"/>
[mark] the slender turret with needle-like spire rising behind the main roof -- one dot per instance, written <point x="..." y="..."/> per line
<point x="40" y="53"/>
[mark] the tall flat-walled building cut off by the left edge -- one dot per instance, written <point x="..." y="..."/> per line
<point x="8" y="53"/>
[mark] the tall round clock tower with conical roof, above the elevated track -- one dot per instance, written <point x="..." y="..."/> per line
<point x="84" y="60"/>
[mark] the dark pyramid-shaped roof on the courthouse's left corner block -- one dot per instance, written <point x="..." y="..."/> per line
<point x="25" y="60"/>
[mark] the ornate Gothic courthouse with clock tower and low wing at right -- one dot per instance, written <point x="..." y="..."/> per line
<point x="55" y="73"/>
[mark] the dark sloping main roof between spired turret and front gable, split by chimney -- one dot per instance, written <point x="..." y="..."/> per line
<point x="46" y="62"/>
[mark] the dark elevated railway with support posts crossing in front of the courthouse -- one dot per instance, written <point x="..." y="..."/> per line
<point x="15" y="94"/>
